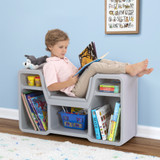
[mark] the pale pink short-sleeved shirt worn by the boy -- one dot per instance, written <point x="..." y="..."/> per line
<point x="59" y="70"/>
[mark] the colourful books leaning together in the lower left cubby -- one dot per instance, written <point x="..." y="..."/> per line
<point x="36" y="108"/>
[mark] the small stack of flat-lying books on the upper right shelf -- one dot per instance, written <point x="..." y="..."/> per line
<point x="109" y="88"/>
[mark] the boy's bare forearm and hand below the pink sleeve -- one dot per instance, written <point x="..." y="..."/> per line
<point x="61" y="85"/>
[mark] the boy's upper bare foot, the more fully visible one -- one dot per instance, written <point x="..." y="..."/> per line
<point x="134" y="69"/>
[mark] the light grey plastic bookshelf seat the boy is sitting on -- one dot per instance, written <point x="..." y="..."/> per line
<point x="127" y="96"/>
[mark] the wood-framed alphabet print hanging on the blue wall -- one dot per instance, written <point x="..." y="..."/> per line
<point x="121" y="16"/>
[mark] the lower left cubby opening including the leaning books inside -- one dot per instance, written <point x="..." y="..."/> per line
<point x="35" y="119"/>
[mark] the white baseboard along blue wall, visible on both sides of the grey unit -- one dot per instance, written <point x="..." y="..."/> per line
<point x="142" y="131"/>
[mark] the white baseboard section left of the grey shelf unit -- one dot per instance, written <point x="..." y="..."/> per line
<point x="9" y="113"/>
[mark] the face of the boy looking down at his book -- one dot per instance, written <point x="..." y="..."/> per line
<point x="59" y="49"/>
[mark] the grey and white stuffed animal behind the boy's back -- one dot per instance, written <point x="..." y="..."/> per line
<point x="33" y="62"/>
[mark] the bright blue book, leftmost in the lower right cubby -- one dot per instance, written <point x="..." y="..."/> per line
<point x="95" y="124"/>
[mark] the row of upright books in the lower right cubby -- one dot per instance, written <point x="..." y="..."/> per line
<point x="106" y="124"/>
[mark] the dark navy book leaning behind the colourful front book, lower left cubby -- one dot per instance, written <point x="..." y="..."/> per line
<point x="28" y="97"/>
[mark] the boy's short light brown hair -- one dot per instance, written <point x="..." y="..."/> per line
<point x="54" y="36"/>
